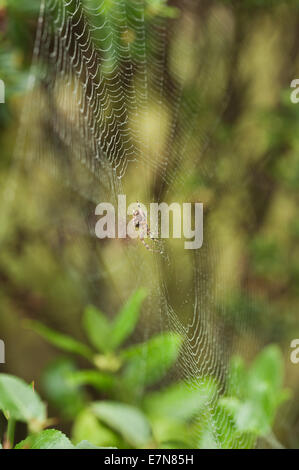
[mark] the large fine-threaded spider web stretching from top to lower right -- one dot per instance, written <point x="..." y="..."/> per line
<point x="126" y="96"/>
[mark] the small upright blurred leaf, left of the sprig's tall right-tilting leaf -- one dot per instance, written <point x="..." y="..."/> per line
<point x="97" y="329"/>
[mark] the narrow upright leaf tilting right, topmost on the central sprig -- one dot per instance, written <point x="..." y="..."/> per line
<point x="125" y="322"/>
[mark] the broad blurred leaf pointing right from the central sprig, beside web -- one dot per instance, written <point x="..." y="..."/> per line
<point x="148" y="362"/>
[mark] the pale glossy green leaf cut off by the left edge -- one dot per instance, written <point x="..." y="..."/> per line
<point x="20" y="401"/>
